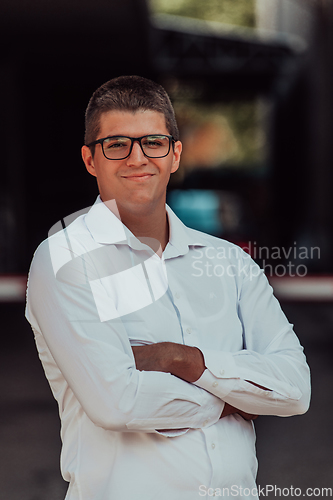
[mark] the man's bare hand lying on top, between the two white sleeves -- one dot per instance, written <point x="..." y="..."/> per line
<point x="183" y="361"/>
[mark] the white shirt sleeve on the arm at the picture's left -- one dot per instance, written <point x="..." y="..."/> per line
<point x="94" y="361"/>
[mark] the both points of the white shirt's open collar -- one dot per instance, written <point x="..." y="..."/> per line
<point x="106" y="228"/>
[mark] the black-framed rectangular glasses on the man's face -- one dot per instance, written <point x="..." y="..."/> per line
<point x="119" y="147"/>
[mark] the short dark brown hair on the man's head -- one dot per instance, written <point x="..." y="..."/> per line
<point x="128" y="93"/>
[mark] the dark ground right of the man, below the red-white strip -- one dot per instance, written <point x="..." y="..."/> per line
<point x="298" y="451"/>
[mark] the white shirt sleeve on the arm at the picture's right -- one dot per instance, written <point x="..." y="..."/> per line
<point x="272" y="357"/>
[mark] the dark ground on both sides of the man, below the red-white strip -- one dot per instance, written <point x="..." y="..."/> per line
<point x="292" y="452"/>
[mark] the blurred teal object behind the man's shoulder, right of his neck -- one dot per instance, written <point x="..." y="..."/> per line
<point x="198" y="209"/>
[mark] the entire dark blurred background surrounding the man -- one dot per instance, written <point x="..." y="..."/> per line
<point x="251" y="82"/>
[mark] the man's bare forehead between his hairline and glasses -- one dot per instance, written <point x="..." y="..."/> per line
<point x="133" y="124"/>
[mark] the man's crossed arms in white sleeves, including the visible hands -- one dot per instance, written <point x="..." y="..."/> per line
<point x="157" y="386"/>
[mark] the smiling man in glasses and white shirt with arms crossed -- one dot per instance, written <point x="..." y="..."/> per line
<point x="158" y="364"/>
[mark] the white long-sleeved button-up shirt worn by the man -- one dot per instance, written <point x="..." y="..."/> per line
<point x="95" y="290"/>
